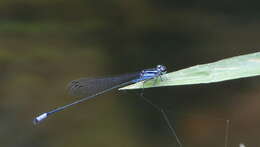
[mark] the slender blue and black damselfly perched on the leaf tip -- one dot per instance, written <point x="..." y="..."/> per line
<point x="92" y="87"/>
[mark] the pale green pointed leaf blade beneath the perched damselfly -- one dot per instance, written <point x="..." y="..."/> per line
<point x="222" y="70"/>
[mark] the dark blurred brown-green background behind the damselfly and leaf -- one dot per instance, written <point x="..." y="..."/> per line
<point x="46" y="44"/>
